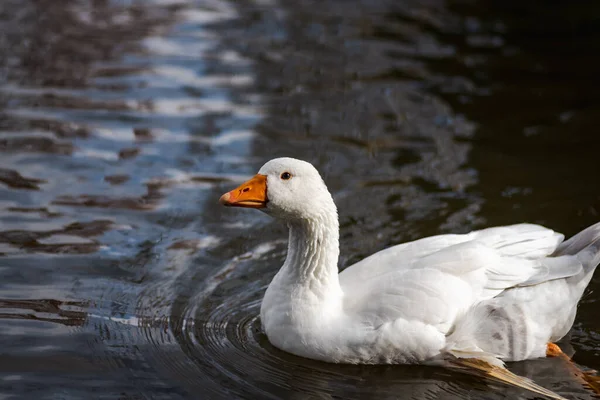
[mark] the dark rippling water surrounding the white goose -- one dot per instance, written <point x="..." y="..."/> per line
<point x="121" y="123"/>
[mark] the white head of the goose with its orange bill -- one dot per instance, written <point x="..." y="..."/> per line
<point x="285" y="188"/>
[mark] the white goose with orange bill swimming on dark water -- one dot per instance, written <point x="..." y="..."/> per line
<point x="470" y="301"/>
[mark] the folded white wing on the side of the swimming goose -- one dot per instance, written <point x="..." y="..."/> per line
<point x="435" y="280"/>
